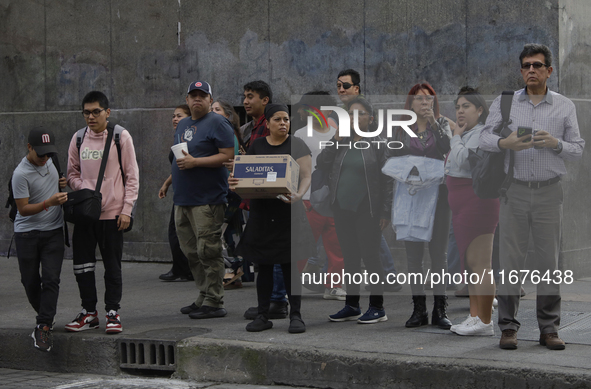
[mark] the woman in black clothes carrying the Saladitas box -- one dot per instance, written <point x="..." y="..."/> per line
<point x="267" y="238"/>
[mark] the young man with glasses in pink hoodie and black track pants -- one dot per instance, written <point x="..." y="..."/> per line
<point x="119" y="198"/>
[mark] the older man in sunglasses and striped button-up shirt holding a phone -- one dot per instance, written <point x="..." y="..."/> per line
<point x="534" y="200"/>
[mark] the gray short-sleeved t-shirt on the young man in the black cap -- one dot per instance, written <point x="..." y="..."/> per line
<point x="38" y="183"/>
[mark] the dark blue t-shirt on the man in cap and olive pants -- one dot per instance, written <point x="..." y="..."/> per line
<point x="204" y="137"/>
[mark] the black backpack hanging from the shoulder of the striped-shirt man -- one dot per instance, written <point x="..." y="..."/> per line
<point x="489" y="180"/>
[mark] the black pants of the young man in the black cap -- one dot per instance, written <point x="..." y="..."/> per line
<point x="45" y="249"/>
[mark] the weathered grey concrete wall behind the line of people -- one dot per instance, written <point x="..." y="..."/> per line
<point x="144" y="54"/>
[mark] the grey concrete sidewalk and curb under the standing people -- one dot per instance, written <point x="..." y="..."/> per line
<point x="336" y="355"/>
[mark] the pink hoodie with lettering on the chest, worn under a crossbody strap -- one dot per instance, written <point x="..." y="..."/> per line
<point x="117" y="199"/>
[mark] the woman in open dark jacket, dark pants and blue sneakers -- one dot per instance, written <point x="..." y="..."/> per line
<point x="361" y="197"/>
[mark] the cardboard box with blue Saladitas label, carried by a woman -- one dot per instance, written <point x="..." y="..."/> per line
<point x="266" y="176"/>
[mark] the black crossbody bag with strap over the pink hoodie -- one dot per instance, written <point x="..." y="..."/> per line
<point x="85" y="205"/>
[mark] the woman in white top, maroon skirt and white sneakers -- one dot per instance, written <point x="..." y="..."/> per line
<point x="474" y="219"/>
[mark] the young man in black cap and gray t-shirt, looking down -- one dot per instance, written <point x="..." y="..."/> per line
<point x="38" y="230"/>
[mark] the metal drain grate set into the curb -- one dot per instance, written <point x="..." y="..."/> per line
<point x="147" y="354"/>
